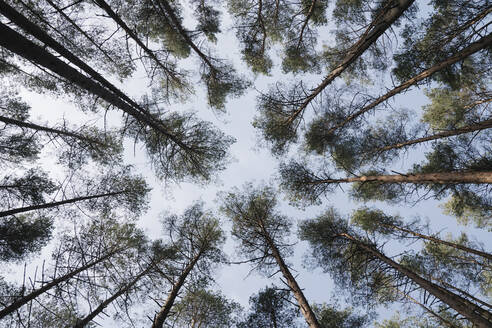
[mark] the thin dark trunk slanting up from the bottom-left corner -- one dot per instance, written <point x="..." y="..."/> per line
<point x="29" y="297"/>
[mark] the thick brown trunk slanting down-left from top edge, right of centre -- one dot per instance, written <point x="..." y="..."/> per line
<point x="376" y="29"/>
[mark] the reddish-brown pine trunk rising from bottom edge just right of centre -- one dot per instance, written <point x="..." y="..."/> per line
<point x="304" y="306"/>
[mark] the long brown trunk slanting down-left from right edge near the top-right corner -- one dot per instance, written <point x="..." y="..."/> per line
<point x="483" y="43"/>
